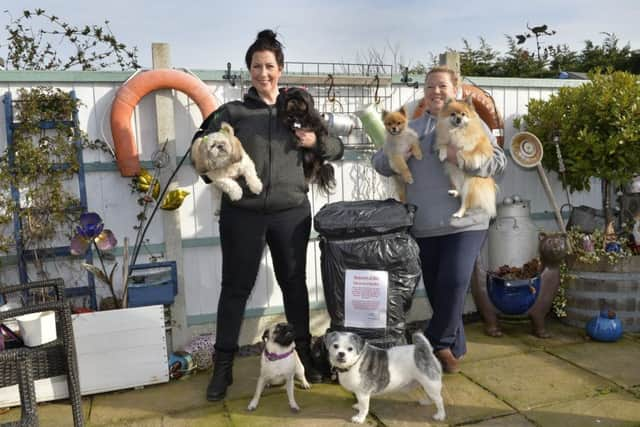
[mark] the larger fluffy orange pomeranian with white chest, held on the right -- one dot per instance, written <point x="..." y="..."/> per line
<point x="460" y="125"/>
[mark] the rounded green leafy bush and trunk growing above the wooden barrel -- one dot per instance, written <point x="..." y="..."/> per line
<point x="598" y="129"/>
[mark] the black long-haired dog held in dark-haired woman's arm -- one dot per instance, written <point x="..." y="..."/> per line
<point x="296" y="110"/>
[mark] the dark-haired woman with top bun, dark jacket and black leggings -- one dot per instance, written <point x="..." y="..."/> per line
<point x="279" y="217"/>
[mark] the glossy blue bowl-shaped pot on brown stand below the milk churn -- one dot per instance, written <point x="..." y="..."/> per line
<point x="512" y="296"/>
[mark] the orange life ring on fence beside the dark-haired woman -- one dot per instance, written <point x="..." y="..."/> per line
<point x="132" y="91"/>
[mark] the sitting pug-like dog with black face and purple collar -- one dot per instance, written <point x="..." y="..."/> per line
<point x="279" y="363"/>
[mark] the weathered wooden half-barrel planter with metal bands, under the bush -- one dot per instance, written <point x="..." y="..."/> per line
<point x="602" y="285"/>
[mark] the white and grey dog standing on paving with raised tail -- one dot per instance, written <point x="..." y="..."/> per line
<point x="366" y="370"/>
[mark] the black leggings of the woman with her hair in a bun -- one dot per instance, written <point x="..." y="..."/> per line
<point x="243" y="235"/>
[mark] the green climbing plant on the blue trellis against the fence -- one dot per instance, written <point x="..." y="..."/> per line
<point x="38" y="163"/>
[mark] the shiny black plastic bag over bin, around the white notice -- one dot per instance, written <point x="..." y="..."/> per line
<point x="369" y="235"/>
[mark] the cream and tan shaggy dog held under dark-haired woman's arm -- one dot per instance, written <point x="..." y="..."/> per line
<point x="220" y="157"/>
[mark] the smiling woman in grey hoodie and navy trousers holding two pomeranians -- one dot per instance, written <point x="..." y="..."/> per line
<point x="448" y="247"/>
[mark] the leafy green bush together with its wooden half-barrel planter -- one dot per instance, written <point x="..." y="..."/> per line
<point x="597" y="130"/>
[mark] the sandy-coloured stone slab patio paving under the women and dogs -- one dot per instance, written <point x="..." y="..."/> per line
<point x="516" y="380"/>
